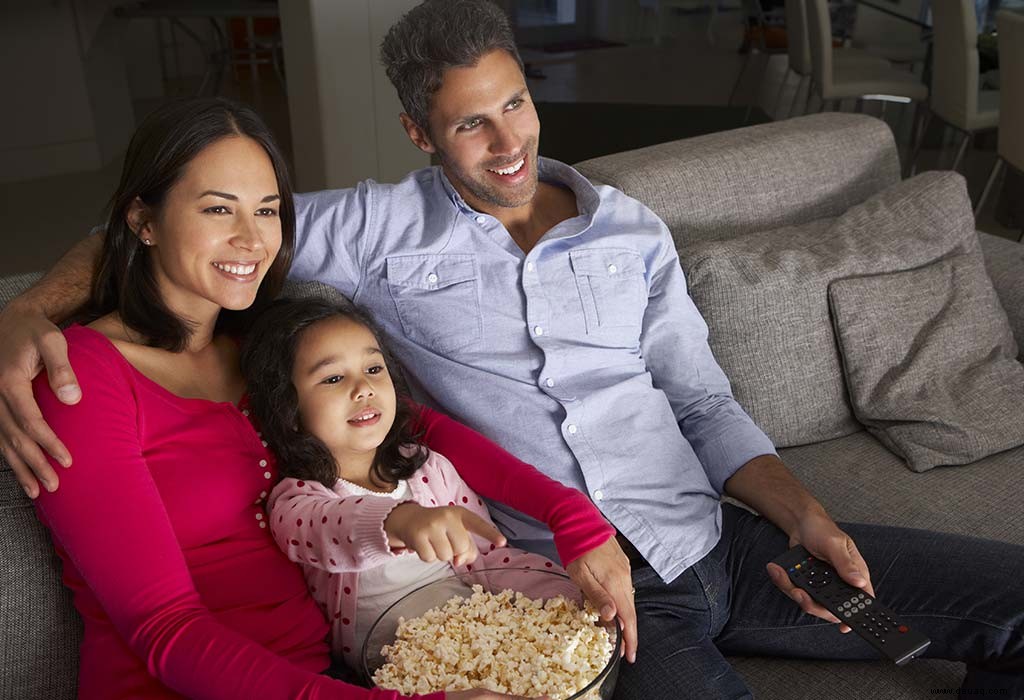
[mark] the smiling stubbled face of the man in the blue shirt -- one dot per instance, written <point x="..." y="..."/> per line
<point x="485" y="130"/>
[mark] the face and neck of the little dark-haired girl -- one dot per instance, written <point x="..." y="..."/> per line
<point x="347" y="397"/>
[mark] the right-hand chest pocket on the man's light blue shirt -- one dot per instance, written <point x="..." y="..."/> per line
<point x="613" y="287"/>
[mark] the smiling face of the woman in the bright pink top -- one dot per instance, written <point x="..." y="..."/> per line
<point x="219" y="231"/>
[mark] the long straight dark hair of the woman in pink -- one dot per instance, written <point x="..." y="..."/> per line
<point x="163" y="146"/>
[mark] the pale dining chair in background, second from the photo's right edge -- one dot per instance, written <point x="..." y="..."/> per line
<point x="956" y="98"/>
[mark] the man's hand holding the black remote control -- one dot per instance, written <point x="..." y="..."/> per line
<point x="822" y="538"/>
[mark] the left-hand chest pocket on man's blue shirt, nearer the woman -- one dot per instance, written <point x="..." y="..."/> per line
<point x="438" y="298"/>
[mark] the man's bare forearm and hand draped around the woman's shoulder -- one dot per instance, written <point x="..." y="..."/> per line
<point x="33" y="342"/>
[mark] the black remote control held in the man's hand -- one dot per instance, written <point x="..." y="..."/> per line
<point x="866" y="616"/>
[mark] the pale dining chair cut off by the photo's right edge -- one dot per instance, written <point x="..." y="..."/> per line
<point x="1011" y="141"/>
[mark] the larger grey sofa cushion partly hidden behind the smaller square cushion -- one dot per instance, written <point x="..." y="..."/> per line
<point x="765" y="298"/>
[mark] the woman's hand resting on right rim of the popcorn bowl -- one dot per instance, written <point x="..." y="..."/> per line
<point x="605" y="577"/>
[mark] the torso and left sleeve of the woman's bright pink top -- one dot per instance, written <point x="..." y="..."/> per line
<point x="161" y="529"/>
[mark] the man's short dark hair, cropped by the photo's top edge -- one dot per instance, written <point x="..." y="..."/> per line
<point x="437" y="36"/>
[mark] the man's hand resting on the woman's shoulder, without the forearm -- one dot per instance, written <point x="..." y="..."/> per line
<point x="30" y="343"/>
